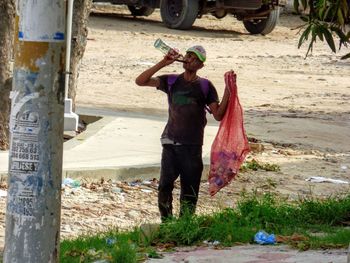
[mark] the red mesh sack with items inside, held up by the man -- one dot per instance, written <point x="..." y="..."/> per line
<point x="230" y="146"/>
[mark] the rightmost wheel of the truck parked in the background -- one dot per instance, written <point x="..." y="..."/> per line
<point x="263" y="26"/>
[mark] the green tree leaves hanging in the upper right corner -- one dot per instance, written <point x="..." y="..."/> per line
<point x="326" y="20"/>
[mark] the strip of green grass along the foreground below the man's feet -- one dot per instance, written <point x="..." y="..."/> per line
<point x="319" y="223"/>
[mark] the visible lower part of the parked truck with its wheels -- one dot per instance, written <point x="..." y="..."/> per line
<point x="258" y="16"/>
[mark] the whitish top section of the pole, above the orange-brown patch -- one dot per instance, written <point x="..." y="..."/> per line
<point x="42" y="20"/>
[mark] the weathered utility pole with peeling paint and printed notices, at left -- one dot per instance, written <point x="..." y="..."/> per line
<point x="36" y="127"/>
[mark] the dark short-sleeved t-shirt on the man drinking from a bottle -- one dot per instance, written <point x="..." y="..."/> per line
<point x="186" y="120"/>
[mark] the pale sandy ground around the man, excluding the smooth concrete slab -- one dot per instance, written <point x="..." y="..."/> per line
<point x="297" y="108"/>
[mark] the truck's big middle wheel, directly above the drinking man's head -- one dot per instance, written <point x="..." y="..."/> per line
<point x="179" y="14"/>
